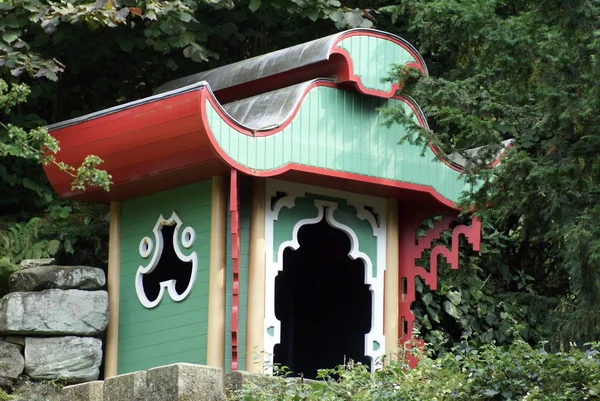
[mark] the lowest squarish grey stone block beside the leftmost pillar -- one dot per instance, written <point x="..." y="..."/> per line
<point x="76" y="359"/>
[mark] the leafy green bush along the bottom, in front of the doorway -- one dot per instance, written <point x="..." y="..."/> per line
<point x="515" y="372"/>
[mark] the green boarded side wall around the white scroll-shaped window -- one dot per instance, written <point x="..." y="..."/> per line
<point x="172" y="331"/>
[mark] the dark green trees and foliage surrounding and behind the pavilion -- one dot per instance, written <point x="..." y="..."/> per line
<point x="499" y="69"/>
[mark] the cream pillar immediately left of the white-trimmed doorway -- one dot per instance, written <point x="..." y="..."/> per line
<point x="256" y="280"/>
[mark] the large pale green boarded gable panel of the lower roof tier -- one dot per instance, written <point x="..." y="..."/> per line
<point x="341" y="131"/>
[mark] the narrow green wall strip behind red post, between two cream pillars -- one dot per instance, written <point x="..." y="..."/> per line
<point x="245" y="204"/>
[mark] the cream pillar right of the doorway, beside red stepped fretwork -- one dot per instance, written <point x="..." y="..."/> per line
<point x="391" y="280"/>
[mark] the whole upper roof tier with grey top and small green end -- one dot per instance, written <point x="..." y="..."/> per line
<point x="314" y="59"/>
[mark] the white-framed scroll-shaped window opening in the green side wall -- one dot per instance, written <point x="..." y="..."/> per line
<point x="169" y="268"/>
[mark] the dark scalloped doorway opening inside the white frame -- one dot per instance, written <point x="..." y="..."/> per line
<point x="322" y="303"/>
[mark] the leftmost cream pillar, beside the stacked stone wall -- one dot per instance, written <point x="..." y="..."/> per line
<point x="113" y="280"/>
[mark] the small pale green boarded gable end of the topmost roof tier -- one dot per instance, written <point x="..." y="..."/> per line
<point x="372" y="59"/>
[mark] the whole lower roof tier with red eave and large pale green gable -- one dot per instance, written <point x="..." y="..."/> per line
<point x="170" y="139"/>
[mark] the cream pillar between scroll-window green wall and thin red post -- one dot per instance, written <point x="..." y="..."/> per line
<point x="215" y="355"/>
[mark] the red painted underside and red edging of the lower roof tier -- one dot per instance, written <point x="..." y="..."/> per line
<point x="172" y="133"/>
